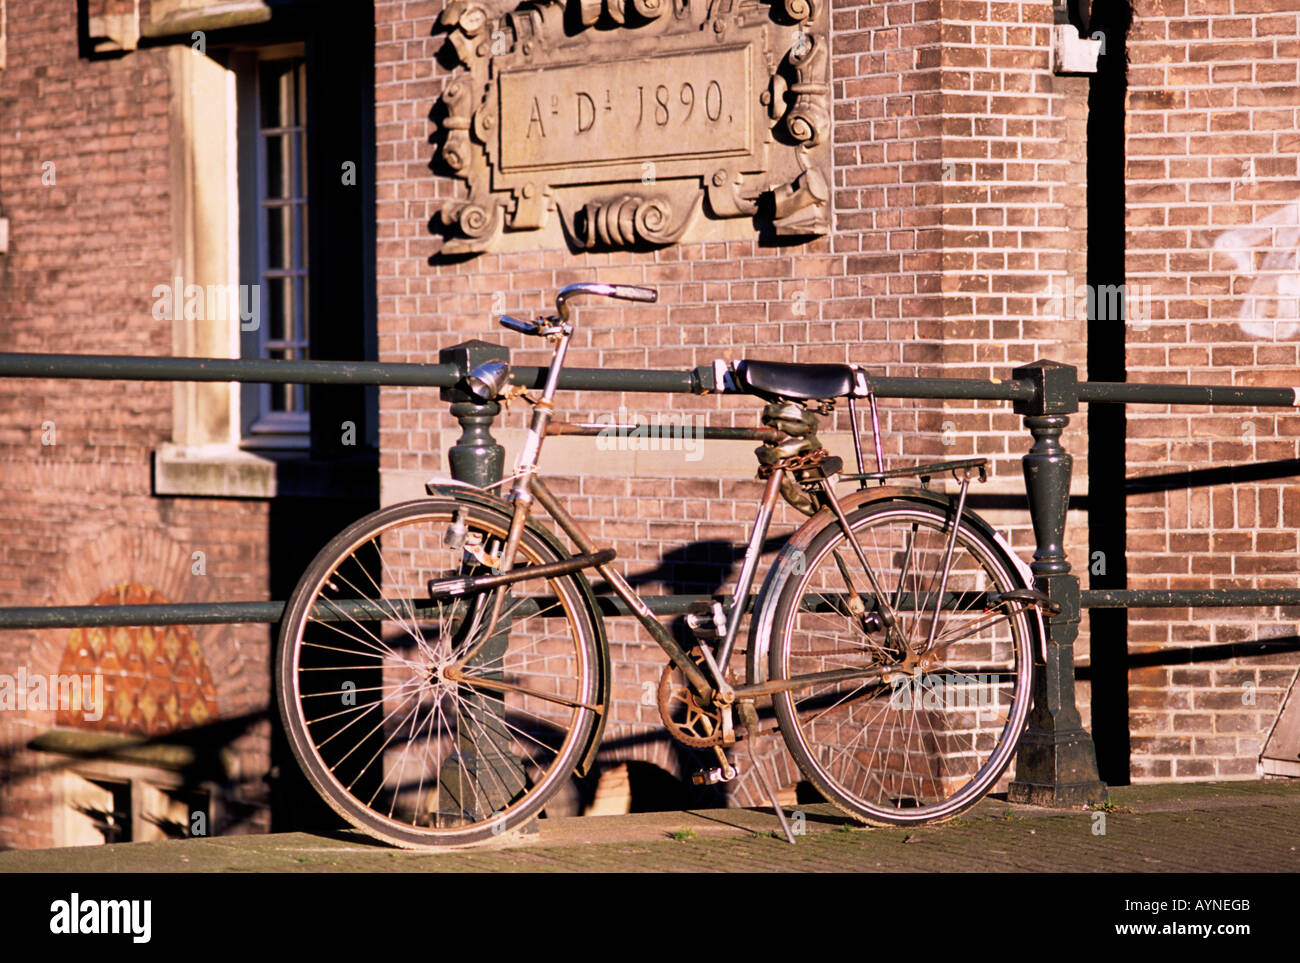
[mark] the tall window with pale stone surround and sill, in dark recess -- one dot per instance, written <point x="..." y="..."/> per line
<point x="274" y="196"/>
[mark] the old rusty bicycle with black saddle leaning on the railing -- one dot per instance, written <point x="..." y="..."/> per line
<point x="443" y="669"/>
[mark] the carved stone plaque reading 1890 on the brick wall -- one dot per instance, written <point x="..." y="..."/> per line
<point x="630" y="120"/>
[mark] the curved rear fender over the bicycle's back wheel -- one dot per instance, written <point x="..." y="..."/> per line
<point x="761" y="623"/>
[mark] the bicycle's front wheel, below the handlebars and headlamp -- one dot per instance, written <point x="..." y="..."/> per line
<point x="415" y="721"/>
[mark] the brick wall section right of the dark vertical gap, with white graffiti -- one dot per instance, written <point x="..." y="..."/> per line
<point x="1214" y="194"/>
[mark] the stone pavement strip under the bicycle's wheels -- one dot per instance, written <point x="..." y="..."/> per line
<point x="1225" y="827"/>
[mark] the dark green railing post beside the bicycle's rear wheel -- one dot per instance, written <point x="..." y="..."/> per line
<point x="1056" y="764"/>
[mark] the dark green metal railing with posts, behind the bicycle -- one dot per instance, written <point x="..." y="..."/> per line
<point x="1058" y="762"/>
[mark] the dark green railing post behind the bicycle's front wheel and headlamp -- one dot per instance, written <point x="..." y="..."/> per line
<point x="473" y="782"/>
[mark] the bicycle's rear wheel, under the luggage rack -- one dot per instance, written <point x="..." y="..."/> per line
<point x="918" y="723"/>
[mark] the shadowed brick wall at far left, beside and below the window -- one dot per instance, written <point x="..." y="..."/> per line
<point x="84" y="181"/>
